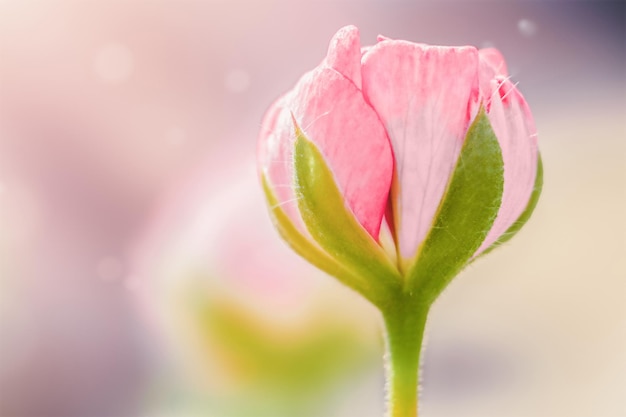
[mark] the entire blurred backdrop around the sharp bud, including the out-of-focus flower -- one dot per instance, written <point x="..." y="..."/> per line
<point x="139" y="275"/>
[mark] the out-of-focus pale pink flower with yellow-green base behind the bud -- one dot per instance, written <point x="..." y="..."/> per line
<point x="263" y="332"/>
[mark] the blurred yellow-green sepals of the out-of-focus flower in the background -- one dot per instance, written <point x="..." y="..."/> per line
<point x="278" y="370"/>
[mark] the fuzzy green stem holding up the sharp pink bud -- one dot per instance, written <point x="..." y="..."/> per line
<point x="404" y="324"/>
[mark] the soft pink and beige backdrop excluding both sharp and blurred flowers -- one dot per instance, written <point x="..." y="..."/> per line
<point x="105" y="106"/>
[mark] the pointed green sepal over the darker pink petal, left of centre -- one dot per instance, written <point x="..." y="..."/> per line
<point x="334" y="226"/>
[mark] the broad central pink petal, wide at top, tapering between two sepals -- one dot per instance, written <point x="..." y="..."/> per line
<point x="426" y="97"/>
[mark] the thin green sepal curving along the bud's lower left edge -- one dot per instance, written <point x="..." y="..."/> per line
<point x="309" y="250"/>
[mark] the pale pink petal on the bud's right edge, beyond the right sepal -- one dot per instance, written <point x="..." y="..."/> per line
<point x="514" y="126"/>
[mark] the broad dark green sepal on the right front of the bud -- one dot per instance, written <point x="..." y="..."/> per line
<point x="465" y="214"/>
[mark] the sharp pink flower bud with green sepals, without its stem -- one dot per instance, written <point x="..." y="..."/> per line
<point x="396" y="165"/>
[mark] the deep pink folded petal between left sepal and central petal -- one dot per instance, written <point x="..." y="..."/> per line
<point x="334" y="115"/>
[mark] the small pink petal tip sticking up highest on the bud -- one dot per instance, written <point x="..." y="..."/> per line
<point x="344" y="54"/>
